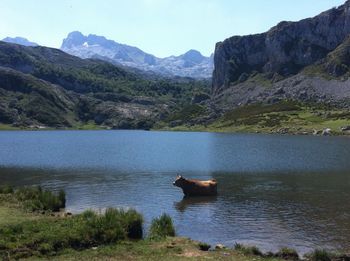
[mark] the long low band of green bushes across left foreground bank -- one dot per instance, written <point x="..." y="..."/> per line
<point x="48" y="236"/>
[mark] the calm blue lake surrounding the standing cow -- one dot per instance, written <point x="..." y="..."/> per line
<point x="274" y="191"/>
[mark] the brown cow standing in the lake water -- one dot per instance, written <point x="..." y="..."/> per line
<point x="194" y="187"/>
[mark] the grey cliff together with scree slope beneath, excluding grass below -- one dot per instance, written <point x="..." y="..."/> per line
<point x="306" y="60"/>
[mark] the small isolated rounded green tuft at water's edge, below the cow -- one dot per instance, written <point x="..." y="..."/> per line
<point x="161" y="227"/>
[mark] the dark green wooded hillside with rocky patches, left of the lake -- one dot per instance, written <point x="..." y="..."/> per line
<point x="46" y="86"/>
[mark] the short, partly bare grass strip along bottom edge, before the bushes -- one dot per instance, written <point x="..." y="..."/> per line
<point x="170" y="248"/>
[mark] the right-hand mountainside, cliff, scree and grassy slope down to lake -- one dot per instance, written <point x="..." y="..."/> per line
<point x="292" y="79"/>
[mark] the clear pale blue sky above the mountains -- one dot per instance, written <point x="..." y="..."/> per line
<point x="159" y="27"/>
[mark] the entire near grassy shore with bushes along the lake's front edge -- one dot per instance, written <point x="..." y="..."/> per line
<point x="44" y="232"/>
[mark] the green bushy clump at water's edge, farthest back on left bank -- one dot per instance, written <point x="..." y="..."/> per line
<point x="37" y="199"/>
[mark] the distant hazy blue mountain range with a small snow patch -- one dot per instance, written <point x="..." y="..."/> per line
<point x="191" y="64"/>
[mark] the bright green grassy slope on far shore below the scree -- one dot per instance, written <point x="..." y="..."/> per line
<point x="283" y="117"/>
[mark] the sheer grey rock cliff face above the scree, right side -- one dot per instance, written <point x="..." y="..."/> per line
<point x="285" y="50"/>
